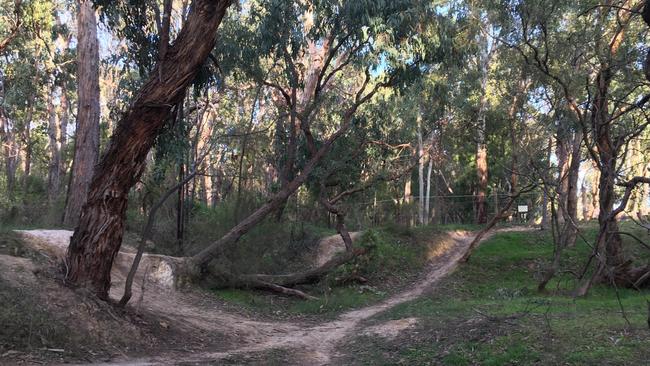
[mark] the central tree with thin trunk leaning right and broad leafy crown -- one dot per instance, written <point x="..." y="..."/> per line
<point x="324" y="60"/>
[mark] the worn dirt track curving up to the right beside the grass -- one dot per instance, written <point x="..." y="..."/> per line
<point x="312" y="345"/>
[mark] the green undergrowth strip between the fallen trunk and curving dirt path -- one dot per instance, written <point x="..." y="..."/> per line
<point x="396" y="255"/>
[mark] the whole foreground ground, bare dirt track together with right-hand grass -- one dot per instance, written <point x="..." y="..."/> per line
<point x="481" y="314"/>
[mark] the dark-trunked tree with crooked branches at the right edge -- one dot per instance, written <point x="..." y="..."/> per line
<point x="592" y="53"/>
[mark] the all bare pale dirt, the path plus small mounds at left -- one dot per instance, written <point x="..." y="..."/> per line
<point x="202" y="317"/>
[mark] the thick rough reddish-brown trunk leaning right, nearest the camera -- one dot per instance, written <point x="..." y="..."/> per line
<point x="98" y="237"/>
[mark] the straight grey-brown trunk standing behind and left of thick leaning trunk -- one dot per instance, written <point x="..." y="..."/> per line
<point x="87" y="132"/>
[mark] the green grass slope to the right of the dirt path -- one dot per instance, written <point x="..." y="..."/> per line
<point x="489" y="313"/>
